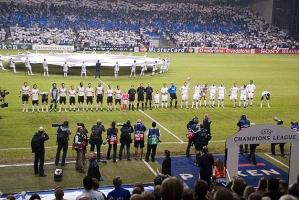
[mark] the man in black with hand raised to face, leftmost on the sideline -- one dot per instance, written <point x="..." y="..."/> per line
<point x="38" y="148"/>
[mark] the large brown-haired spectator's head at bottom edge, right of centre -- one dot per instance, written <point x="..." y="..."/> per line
<point x="171" y="189"/>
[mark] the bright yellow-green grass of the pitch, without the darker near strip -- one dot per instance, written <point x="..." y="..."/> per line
<point x="275" y="73"/>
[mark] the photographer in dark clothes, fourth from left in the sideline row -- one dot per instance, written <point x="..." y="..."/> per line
<point x="96" y="139"/>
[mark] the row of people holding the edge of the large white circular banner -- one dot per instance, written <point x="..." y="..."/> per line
<point x="143" y="68"/>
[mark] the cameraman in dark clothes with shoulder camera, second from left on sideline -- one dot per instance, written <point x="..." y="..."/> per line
<point x="63" y="133"/>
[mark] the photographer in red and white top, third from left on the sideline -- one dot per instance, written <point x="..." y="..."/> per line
<point x="79" y="145"/>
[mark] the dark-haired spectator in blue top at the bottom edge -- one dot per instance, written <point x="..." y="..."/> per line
<point x="118" y="191"/>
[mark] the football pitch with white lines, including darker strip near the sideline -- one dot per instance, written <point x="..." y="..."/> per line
<point x="276" y="73"/>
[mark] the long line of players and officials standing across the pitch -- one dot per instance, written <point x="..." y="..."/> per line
<point x="125" y="100"/>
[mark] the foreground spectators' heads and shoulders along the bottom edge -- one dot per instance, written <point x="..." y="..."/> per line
<point x="173" y="189"/>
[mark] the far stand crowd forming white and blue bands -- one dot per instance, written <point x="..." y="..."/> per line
<point x="124" y="23"/>
